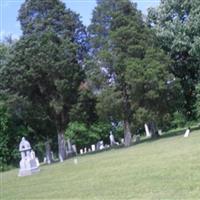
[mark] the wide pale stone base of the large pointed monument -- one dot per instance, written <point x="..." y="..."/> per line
<point x="28" y="167"/>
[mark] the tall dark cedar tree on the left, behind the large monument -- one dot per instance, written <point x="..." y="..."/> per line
<point x="45" y="67"/>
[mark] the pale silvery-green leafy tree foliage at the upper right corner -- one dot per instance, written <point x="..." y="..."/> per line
<point x="177" y="24"/>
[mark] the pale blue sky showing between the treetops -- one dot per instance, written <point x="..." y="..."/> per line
<point x="9" y="12"/>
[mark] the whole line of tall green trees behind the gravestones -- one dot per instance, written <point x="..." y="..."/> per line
<point x="64" y="82"/>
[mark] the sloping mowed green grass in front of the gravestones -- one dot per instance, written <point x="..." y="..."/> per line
<point x="167" y="168"/>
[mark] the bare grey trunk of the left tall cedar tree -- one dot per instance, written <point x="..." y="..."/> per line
<point x="61" y="146"/>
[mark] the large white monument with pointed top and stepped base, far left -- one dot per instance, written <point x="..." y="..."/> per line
<point x="29" y="164"/>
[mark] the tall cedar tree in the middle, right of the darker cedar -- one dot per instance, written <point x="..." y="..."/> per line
<point x="122" y="45"/>
